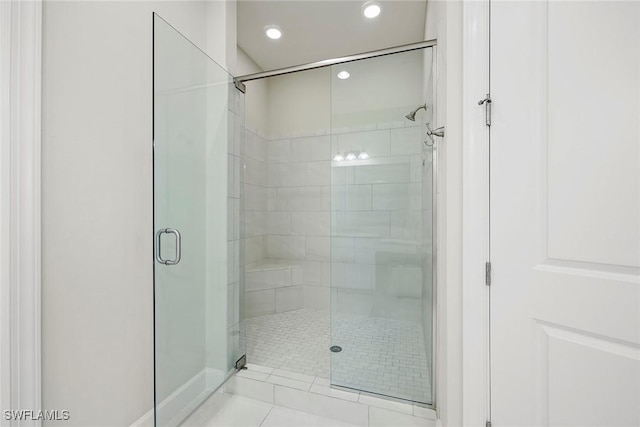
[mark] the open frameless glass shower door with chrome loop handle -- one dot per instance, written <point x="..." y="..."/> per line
<point x="197" y="336"/>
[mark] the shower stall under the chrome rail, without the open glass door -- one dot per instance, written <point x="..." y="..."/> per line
<point x="348" y="242"/>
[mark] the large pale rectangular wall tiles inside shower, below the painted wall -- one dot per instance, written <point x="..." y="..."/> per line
<point x="304" y="210"/>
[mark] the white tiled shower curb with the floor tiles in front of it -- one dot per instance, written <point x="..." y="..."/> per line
<point x="296" y="399"/>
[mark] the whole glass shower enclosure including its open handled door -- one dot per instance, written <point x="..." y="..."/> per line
<point x="306" y="246"/>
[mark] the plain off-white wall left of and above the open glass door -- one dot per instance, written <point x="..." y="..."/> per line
<point x="97" y="302"/>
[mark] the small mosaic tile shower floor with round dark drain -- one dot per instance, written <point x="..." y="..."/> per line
<point x="378" y="355"/>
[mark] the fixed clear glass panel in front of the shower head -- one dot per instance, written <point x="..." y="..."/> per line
<point x="381" y="226"/>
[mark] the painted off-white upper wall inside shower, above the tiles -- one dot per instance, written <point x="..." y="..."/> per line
<point x="314" y="100"/>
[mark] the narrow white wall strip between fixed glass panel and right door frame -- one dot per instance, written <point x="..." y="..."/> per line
<point x="444" y="23"/>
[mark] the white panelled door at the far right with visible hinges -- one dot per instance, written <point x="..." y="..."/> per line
<point x="565" y="213"/>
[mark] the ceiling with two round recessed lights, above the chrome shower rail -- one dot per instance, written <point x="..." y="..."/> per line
<point x="314" y="30"/>
